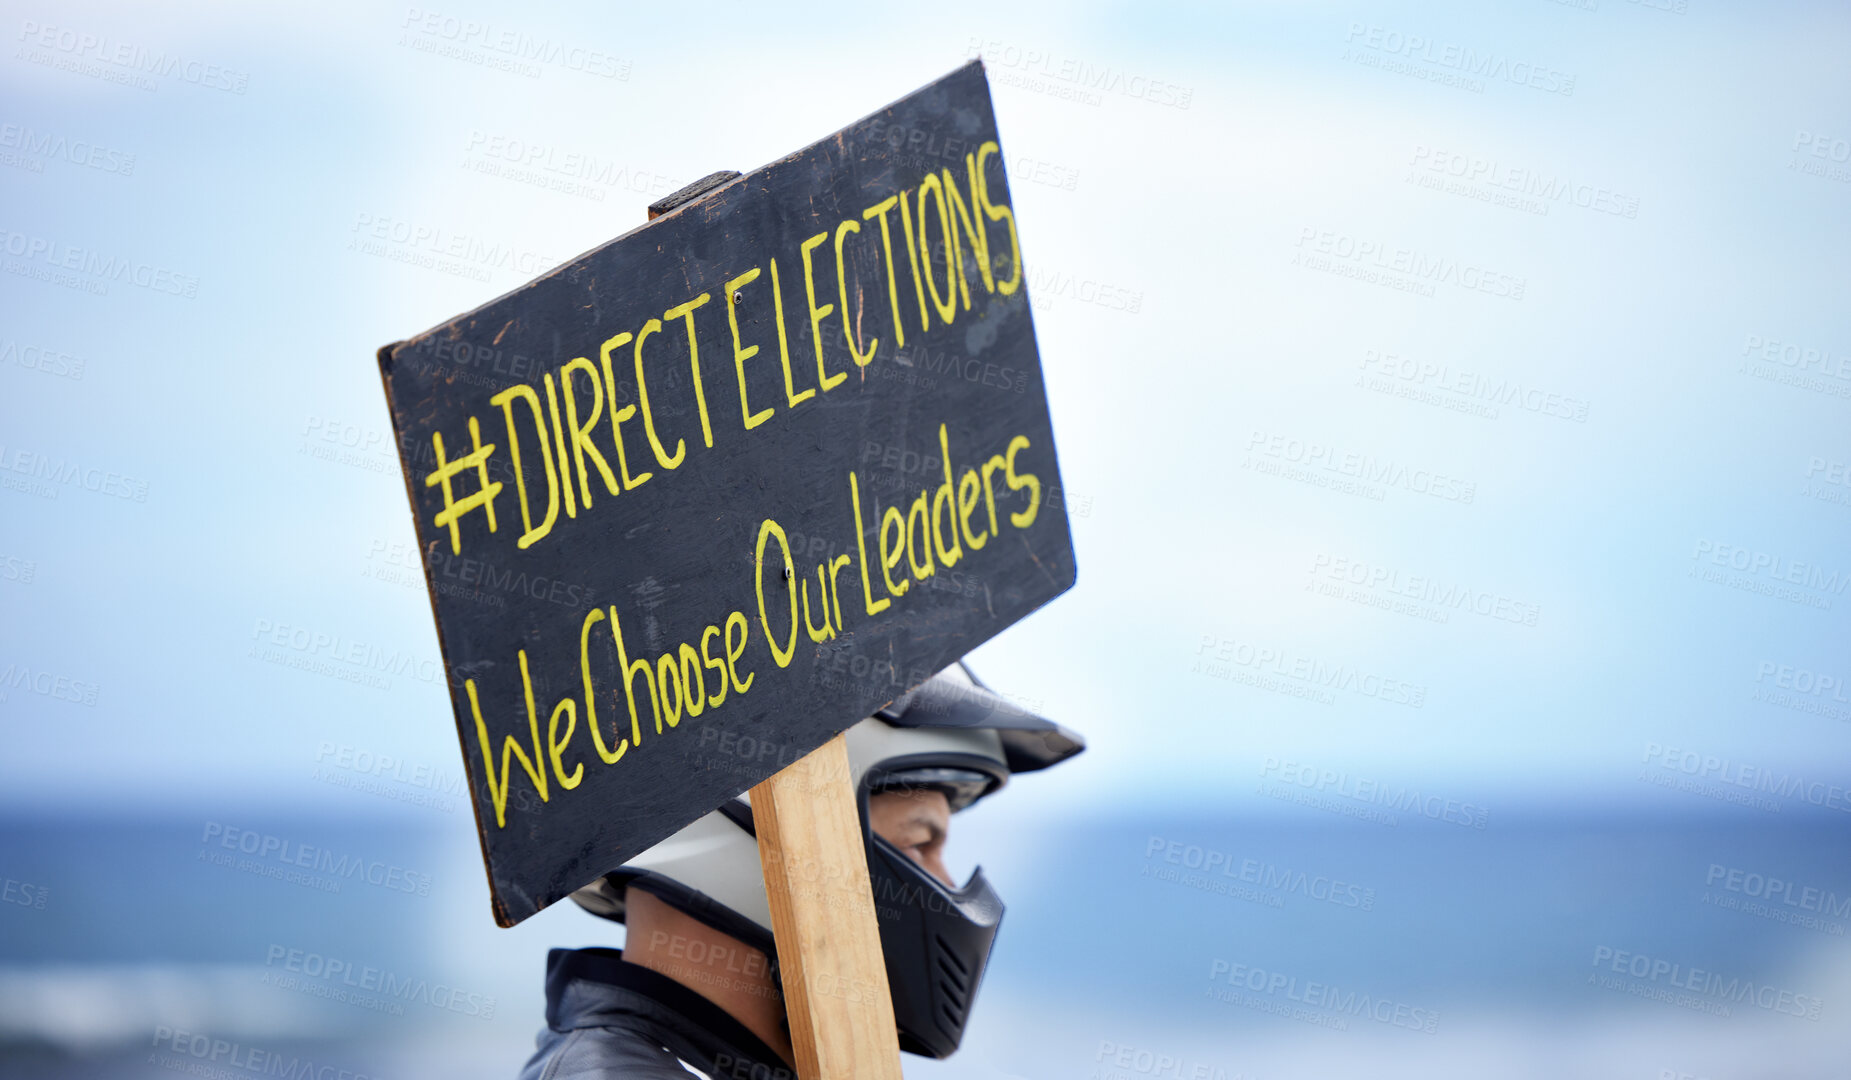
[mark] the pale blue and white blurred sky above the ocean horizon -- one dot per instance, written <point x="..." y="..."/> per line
<point x="1293" y="131"/>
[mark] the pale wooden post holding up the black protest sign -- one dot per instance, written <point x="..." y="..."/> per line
<point x="823" y="914"/>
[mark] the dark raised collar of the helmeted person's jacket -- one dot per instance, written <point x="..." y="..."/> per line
<point x="645" y="1001"/>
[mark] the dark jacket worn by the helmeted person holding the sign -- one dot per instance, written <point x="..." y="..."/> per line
<point x="610" y="1020"/>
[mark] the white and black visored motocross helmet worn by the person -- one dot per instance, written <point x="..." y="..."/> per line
<point x="950" y="735"/>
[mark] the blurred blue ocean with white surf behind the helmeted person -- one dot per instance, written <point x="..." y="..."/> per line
<point x="1167" y="948"/>
